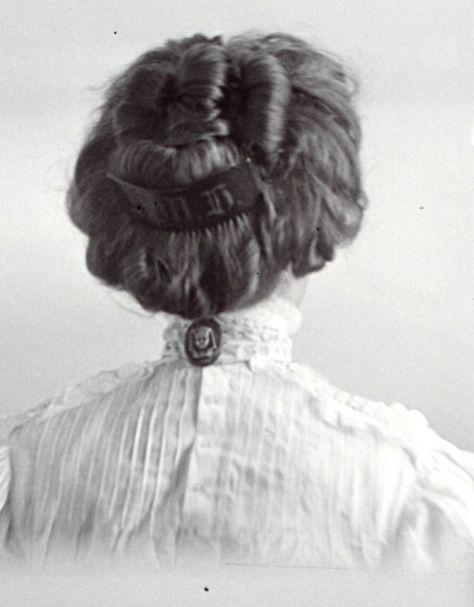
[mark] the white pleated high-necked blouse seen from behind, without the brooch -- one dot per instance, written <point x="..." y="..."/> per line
<point x="251" y="459"/>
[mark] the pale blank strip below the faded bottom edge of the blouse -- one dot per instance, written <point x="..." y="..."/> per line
<point x="242" y="587"/>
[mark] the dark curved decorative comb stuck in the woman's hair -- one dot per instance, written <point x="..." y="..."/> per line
<point x="200" y="205"/>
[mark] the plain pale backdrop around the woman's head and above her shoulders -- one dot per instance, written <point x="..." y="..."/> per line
<point x="391" y="319"/>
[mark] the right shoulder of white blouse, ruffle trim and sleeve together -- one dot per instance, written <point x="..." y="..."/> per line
<point x="435" y="528"/>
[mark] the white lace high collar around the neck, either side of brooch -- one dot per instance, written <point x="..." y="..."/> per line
<point x="255" y="334"/>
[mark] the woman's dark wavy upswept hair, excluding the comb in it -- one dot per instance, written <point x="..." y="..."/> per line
<point x="195" y="107"/>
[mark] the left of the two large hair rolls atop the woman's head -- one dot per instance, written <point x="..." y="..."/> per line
<point x="175" y="103"/>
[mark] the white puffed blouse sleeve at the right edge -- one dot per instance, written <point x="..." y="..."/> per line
<point x="437" y="529"/>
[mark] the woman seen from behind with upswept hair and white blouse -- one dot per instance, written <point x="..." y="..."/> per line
<point x="217" y="177"/>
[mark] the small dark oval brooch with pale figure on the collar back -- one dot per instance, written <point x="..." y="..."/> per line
<point x="203" y="342"/>
